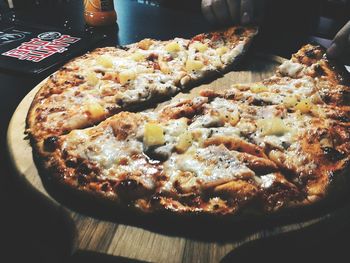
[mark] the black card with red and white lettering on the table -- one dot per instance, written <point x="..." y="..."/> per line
<point x="33" y="50"/>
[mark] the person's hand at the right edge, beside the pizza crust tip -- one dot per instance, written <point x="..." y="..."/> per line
<point x="340" y="48"/>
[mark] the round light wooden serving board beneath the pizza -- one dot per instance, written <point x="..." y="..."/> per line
<point x="135" y="242"/>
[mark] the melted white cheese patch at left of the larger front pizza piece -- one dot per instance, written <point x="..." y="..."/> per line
<point x="101" y="151"/>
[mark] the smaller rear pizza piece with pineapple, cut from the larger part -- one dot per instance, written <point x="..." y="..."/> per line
<point x="99" y="84"/>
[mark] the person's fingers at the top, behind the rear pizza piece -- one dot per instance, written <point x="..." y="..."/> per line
<point x="233" y="11"/>
